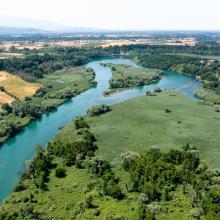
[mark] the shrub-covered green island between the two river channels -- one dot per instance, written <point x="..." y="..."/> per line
<point x="124" y="76"/>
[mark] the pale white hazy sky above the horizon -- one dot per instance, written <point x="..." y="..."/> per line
<point x="118" y="14"/>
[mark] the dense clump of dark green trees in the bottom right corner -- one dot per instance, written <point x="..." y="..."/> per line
<point x="155" y="175"/>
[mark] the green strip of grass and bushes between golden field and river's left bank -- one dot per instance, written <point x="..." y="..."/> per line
<point x="57" y="88"/>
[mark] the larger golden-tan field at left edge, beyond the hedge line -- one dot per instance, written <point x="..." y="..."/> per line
<point x="14" y="85"/>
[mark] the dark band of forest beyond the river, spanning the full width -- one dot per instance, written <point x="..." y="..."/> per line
<point x="37" y="65"/>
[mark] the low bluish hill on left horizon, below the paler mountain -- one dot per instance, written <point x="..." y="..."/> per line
<point x="14" y="30"/>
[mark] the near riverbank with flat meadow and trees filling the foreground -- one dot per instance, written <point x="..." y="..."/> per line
<point x="76" y="188"/>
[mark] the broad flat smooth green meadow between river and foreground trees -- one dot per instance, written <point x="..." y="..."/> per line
<point x="141" y="123"/>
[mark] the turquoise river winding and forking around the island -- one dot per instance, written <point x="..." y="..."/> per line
<point x="20" y="148"/>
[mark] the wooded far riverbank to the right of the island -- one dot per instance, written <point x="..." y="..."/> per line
<point x="203" y="69"/>
